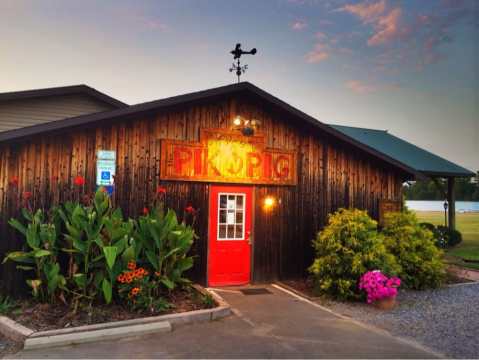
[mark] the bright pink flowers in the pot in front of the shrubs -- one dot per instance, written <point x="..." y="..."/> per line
<point x="378" y="286"/>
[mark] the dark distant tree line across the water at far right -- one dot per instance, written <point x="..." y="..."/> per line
<point x="466" y="189"/>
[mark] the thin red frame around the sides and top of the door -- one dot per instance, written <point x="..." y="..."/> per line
<point x="208" y="254"/>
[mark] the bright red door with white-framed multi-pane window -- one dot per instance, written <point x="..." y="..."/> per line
<point x="229" y="235"/>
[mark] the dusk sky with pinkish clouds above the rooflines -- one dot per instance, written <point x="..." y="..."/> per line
<point x="411" y="67"/>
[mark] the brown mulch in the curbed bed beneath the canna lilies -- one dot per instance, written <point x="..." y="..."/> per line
<point x="41" y="317"/>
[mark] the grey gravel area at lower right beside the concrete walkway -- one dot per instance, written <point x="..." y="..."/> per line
<point x="445" y="320"/>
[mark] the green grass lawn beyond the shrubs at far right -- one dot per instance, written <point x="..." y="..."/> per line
<point x="468" y="225"/>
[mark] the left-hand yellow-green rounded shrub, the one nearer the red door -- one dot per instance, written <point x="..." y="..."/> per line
<point x="346" y="248"/>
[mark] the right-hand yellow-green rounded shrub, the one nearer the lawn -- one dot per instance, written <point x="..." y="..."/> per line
<point x="414" y="248"/>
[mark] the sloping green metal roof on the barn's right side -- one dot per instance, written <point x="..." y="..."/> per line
<point x="404" y="152"/>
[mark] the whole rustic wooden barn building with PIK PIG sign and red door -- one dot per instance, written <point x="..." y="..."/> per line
<point x="263" y="175"/>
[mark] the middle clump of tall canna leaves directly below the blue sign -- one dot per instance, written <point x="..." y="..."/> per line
<point x="96" y="236"/>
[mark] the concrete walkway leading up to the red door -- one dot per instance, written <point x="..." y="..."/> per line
<point x="274" y="325"/>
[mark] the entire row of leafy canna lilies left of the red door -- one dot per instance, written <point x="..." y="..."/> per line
<point x="79" y="251"/>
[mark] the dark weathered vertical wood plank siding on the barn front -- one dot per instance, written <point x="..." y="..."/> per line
<point x="331" y="174"/>
